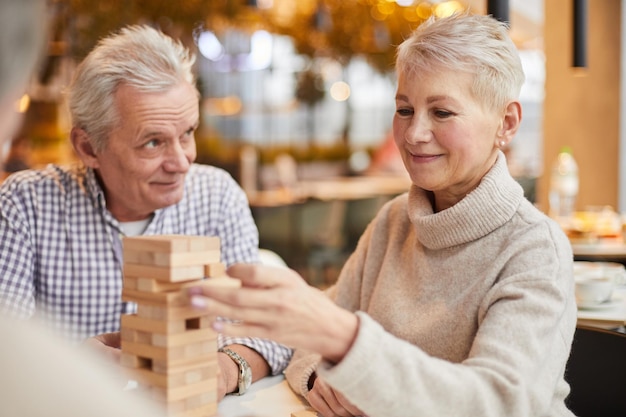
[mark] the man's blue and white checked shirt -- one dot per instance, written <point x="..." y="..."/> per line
<point x="60" y="248"/>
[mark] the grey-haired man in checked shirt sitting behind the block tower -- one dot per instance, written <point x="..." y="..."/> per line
<point x="134" y="110"/>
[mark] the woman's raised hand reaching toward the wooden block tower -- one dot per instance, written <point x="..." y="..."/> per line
<point x="276" y="303"/>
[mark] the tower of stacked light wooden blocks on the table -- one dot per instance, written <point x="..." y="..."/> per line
<point x="170" y="346"/>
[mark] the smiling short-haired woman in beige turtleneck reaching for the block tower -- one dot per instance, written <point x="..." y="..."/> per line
<point x="459" y="298"/>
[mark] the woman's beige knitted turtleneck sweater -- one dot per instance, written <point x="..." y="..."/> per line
<point x="465" y="312"/>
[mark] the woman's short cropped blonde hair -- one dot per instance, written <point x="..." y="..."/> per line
<point x="476" y="44"/>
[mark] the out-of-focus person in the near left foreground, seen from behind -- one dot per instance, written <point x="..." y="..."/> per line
<point x="41" y="376"/>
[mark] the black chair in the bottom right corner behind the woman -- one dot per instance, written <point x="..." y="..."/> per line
<point x="596" y="372"/>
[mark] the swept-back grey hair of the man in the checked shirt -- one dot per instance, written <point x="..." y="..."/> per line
<point x="138" y="56"/>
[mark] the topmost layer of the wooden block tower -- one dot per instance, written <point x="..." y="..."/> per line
<point x="171" y="243"/>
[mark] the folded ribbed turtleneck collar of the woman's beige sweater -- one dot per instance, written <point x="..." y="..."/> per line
<point x="486" y="208"/>
